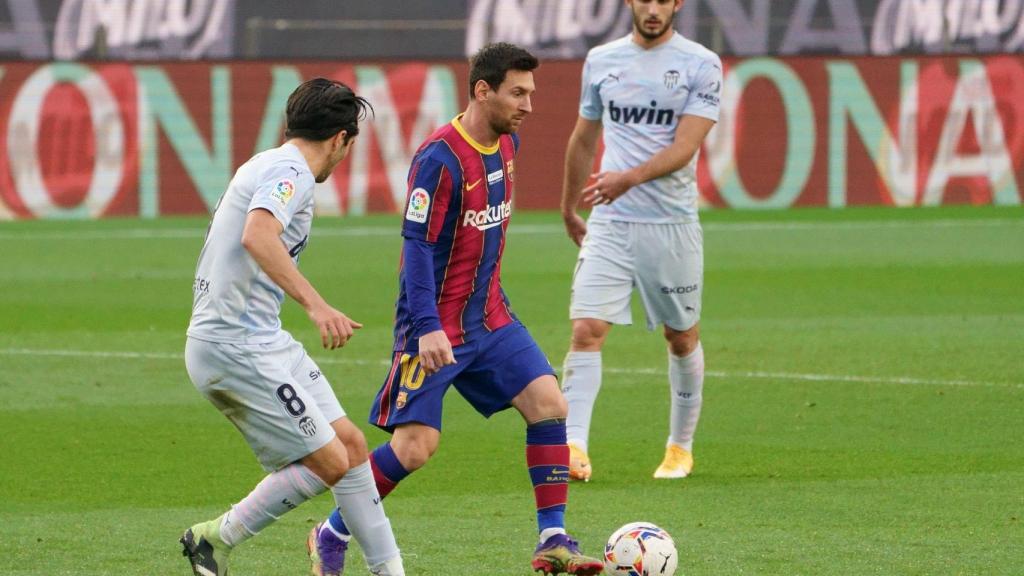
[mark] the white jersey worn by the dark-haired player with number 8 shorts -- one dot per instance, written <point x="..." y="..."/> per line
<point x="234" y="301"/>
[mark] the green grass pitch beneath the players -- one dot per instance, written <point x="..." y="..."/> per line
<point x="864" y="414"/>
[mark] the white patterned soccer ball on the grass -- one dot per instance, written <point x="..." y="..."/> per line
<point x="641" y="549"/>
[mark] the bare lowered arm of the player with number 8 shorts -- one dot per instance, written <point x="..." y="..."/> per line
<point x="262" y="238"/>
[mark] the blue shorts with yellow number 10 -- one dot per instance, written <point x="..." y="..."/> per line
<point x="490" y="373"/>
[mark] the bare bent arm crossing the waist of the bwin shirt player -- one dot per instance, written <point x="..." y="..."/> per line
<point x="690" y="136"/>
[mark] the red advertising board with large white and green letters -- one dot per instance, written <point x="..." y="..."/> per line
<point x="93" y="141"/>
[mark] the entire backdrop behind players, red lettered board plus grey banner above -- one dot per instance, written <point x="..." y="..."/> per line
<point x="147" y="107"/>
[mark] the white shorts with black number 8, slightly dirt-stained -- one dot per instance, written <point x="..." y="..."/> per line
<point x="275" y="394"/>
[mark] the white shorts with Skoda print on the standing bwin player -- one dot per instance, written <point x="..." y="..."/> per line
<point x="665" y="263"/>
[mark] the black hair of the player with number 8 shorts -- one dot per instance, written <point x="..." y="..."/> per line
<point x="319" y="109"/>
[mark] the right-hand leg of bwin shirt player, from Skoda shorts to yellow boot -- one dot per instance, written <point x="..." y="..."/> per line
<point x="670" y="279"/>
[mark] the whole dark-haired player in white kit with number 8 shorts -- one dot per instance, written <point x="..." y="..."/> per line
<point x="239" y="357"/>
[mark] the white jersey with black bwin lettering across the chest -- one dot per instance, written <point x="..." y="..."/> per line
<point x="639" y="96"/>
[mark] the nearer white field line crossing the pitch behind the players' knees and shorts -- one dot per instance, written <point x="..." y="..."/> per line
<point x="757" y="376"/>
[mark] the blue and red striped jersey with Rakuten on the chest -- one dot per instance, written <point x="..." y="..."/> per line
<point x="459" y="201"/>
